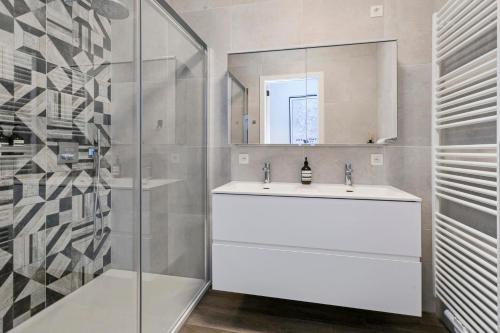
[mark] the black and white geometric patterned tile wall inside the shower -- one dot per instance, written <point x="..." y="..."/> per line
<point x="55" y="85"/>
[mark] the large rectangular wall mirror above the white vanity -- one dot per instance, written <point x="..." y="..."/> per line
<point x="342" y="94"/>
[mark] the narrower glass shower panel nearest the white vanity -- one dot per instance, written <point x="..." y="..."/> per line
<point x="173" y="230"/>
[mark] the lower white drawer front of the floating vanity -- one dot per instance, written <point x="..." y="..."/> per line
<point x="357" y="282"/>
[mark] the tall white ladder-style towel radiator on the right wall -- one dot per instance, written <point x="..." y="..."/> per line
<point x="465" y="151"/>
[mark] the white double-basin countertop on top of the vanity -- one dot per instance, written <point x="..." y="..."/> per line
<point x="359" y="192"/>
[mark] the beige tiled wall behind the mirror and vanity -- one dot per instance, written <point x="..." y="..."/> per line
<point x="239" y="25"/>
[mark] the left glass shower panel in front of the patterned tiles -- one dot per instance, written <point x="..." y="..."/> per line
<point x="69" y="166"/>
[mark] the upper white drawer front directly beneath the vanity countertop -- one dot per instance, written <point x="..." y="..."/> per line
<point x="367" y="226"/>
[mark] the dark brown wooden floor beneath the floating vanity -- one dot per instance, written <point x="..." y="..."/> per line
<point x="221" y="312"/>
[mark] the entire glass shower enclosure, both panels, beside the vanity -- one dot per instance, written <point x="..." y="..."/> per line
<point x="103" y="166"/>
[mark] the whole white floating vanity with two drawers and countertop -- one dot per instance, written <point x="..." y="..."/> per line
<point x="319" y="244"/>
